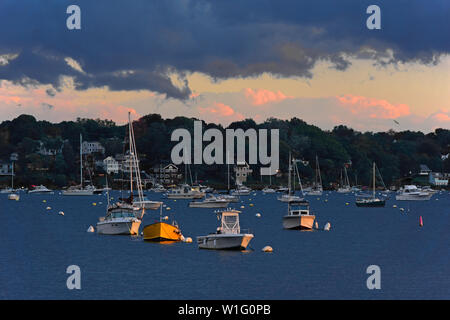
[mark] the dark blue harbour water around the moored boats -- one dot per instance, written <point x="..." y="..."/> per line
<point x="37" y="245"/>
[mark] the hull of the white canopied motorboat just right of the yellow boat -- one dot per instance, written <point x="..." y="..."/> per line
<point x="224" y="241"/>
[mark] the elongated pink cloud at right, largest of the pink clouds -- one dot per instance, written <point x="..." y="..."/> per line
<point x="373" y="108"/>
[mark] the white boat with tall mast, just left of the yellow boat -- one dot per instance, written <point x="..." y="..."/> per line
<point x="124" y="218"/>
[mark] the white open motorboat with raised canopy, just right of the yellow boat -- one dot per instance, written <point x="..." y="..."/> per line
<point x="229" y="235"/>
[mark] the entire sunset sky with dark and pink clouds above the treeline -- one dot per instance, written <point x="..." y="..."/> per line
<point x="228" y="61"/>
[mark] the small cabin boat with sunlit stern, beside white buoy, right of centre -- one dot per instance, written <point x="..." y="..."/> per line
<point x="299" y="216"/>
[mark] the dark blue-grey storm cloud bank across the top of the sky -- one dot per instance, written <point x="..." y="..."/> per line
<point x="135" y="45"/>
